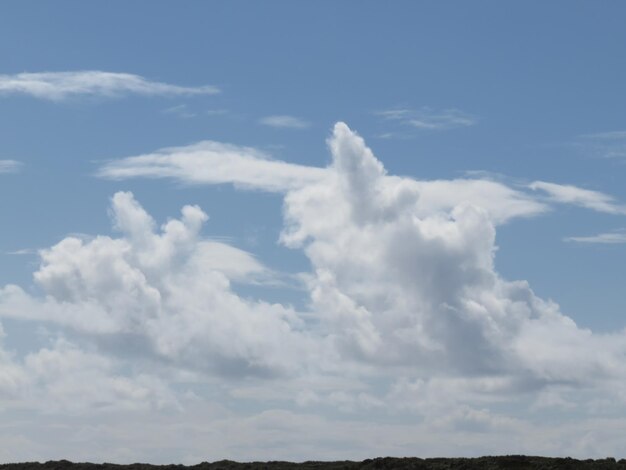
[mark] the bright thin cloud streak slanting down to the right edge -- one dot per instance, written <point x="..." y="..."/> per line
<point x="568" y="194"/>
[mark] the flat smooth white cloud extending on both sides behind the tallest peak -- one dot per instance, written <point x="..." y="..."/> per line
<point x="211" y="162"/>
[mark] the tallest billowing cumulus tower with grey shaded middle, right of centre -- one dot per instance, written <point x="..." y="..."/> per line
<point x="402" y="286"/>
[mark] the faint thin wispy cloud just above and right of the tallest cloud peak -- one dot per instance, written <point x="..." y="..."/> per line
<point x="428" y="119"/>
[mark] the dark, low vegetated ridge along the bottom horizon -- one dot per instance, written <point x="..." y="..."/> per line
<point x="504" y="462"/>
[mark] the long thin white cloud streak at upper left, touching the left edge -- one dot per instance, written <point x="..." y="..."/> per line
<point x="58" y="86"/>
